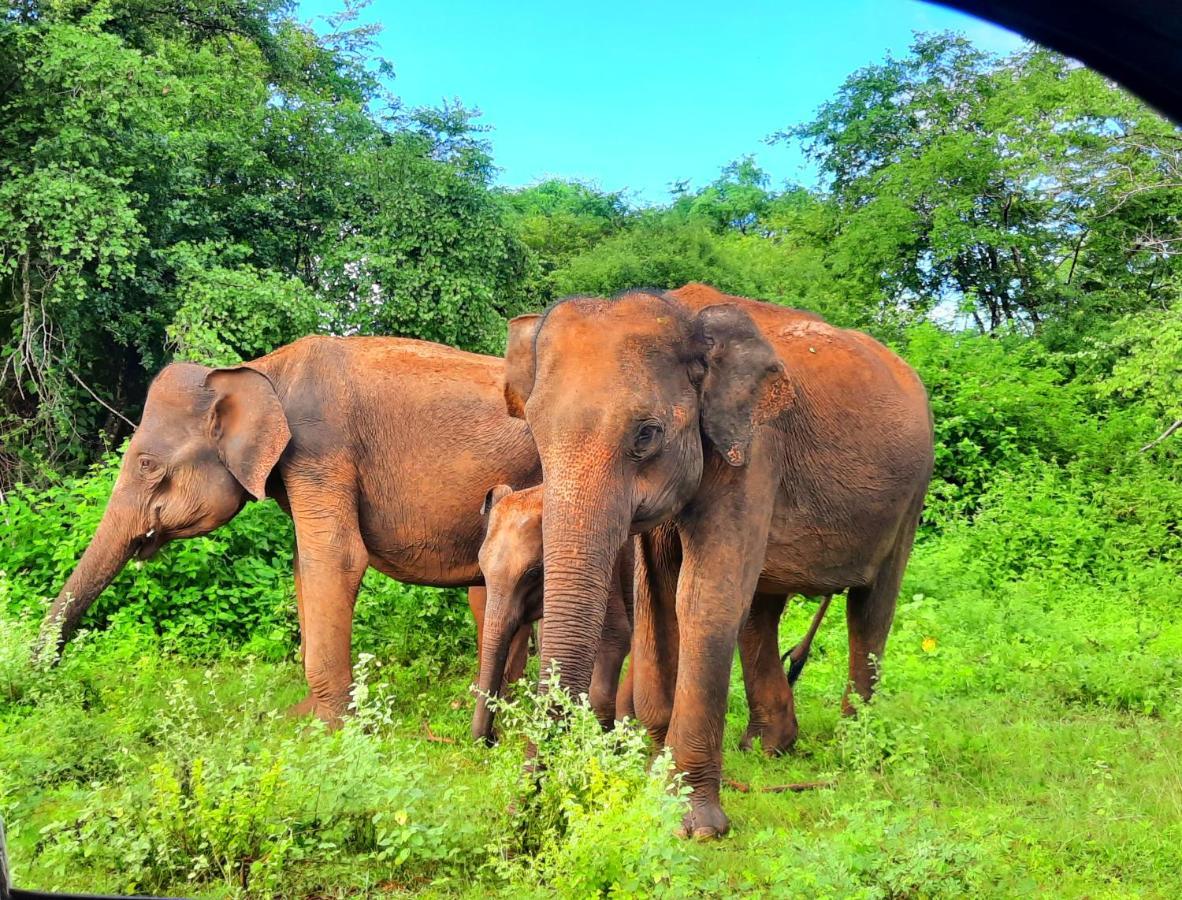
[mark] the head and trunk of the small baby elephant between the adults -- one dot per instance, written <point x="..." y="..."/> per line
<point x="511" y="561"/>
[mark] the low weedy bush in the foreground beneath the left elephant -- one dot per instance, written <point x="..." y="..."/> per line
<point x="212" y="808"/>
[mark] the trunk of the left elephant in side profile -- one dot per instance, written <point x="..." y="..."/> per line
<point x="108" y="553"/>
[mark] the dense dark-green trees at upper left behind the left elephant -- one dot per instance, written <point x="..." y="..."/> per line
<point x="216" y="179"/>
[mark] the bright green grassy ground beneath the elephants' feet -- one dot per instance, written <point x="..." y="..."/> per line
<point x="996" y="763"/>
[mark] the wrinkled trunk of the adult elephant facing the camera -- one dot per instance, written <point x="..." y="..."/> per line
<point x="584" y="527"/>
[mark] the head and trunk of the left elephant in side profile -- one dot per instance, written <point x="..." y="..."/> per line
<point x="207" y="442"/>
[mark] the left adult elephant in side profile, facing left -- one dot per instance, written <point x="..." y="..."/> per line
<point x="381" y="450"/>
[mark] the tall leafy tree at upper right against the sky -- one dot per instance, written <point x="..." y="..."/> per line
<point x="984" y="185"/>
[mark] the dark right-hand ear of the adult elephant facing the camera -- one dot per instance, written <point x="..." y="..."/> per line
<point x="741" y="365"/>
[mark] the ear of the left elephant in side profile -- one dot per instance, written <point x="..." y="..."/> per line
<point x="248" y="424"/>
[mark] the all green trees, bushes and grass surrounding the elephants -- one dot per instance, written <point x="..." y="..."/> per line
<point x="209" y="180"/>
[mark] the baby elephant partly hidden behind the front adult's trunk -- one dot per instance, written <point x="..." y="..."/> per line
<point x="511" y="560"/>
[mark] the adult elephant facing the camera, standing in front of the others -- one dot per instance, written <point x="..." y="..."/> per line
<point x="758" y="451"/>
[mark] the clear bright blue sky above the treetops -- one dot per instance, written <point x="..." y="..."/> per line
<point x="633" y="94"/>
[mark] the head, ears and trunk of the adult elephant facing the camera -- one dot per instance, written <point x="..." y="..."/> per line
<point x="626" y="398"/>
